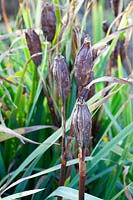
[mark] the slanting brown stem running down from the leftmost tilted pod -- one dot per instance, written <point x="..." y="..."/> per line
<point x="49" y="100"/>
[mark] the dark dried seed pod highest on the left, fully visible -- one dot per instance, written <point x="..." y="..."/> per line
<point x="48" y="21"/>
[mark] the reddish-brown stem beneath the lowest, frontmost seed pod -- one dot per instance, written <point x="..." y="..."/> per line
<point x="81" y="173"/>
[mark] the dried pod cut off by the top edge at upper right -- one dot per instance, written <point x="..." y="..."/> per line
<point x="117" y="6"/>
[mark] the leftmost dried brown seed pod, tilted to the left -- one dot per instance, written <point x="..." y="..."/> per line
<point x="34" y="45"/>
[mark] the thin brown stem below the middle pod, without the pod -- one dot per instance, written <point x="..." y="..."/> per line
<point x="64" y="154"/>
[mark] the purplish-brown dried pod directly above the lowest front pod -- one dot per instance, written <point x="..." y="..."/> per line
<point x="84" y="63"/>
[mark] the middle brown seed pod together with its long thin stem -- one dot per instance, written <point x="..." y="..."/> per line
<point x="62" y="81"/>
